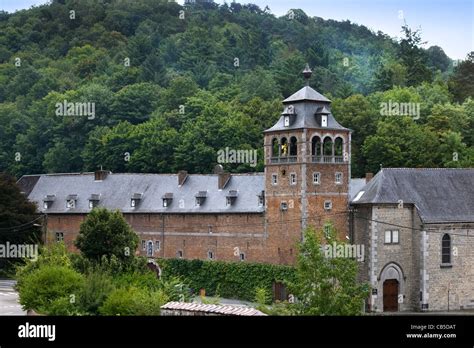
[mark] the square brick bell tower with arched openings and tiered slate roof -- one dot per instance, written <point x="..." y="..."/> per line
<point x="307" y="171"/>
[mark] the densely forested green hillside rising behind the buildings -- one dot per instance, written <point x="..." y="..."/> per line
<point x="172" y="85"/>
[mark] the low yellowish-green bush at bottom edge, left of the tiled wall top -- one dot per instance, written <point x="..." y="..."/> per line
<point x="133" y="301"/>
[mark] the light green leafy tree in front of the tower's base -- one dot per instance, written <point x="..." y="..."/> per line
<point x="326" y="285"/>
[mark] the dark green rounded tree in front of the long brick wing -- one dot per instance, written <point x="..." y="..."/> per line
<point x="106" y="233"/>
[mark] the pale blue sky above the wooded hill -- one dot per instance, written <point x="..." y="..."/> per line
<point x="446" y="23"/>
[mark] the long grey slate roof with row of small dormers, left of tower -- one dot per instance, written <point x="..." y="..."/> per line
<point x="117" y="190"/>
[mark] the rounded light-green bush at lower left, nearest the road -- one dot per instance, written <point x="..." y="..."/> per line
<point x="41" y="287"/>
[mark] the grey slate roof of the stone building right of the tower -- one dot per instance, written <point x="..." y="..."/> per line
<point x="439" y="194"/>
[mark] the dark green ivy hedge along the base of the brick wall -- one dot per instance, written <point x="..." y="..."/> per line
<point x="237" y="280"/>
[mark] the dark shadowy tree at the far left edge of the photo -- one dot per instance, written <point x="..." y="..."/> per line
<point x="18" y="217"/>
